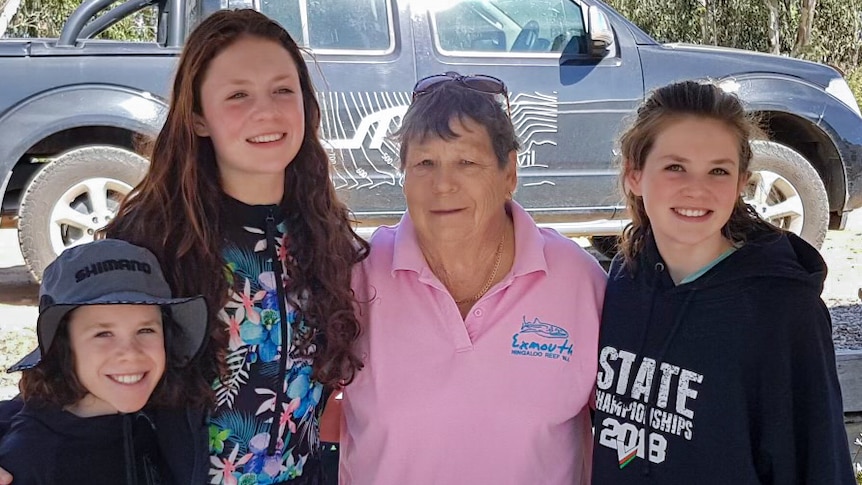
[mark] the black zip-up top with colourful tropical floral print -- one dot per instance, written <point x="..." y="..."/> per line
<point x="264" y="429"/>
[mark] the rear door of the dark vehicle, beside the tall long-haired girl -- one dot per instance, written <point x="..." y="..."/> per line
<point x="361" y="62"/>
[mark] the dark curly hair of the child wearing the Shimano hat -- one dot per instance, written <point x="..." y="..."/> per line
<point x="53" y="382"/>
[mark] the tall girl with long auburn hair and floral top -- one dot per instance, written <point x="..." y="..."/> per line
<point x="238" y="206"/>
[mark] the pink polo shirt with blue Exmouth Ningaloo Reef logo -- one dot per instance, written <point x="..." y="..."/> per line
<point x="499" y="398"/>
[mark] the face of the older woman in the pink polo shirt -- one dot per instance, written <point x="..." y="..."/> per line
<point x="455" y="189"/>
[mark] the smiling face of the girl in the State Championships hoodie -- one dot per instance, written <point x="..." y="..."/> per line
<point x="690" y="183"/>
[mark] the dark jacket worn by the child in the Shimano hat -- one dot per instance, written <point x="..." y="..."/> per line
<point x="36" y="447"/>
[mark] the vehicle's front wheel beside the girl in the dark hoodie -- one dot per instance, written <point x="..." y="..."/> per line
<point x="787" y="191"/>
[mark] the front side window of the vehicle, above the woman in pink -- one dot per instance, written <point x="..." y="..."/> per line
<point x="517" y="26"/>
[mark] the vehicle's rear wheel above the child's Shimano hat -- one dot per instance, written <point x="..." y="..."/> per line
<point x="75" y="195"/>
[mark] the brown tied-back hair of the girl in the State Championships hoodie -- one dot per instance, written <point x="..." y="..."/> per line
<point x="665" y="105"/>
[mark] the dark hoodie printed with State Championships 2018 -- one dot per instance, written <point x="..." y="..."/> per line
<point x="729" y="379"/>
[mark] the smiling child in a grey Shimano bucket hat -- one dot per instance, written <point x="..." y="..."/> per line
<point x="112" y="342"/>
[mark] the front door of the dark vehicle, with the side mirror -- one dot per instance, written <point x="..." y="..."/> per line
<point x="567" y="108"/>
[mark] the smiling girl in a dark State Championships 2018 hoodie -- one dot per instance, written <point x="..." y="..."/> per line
<point x="716" y="363"/>
